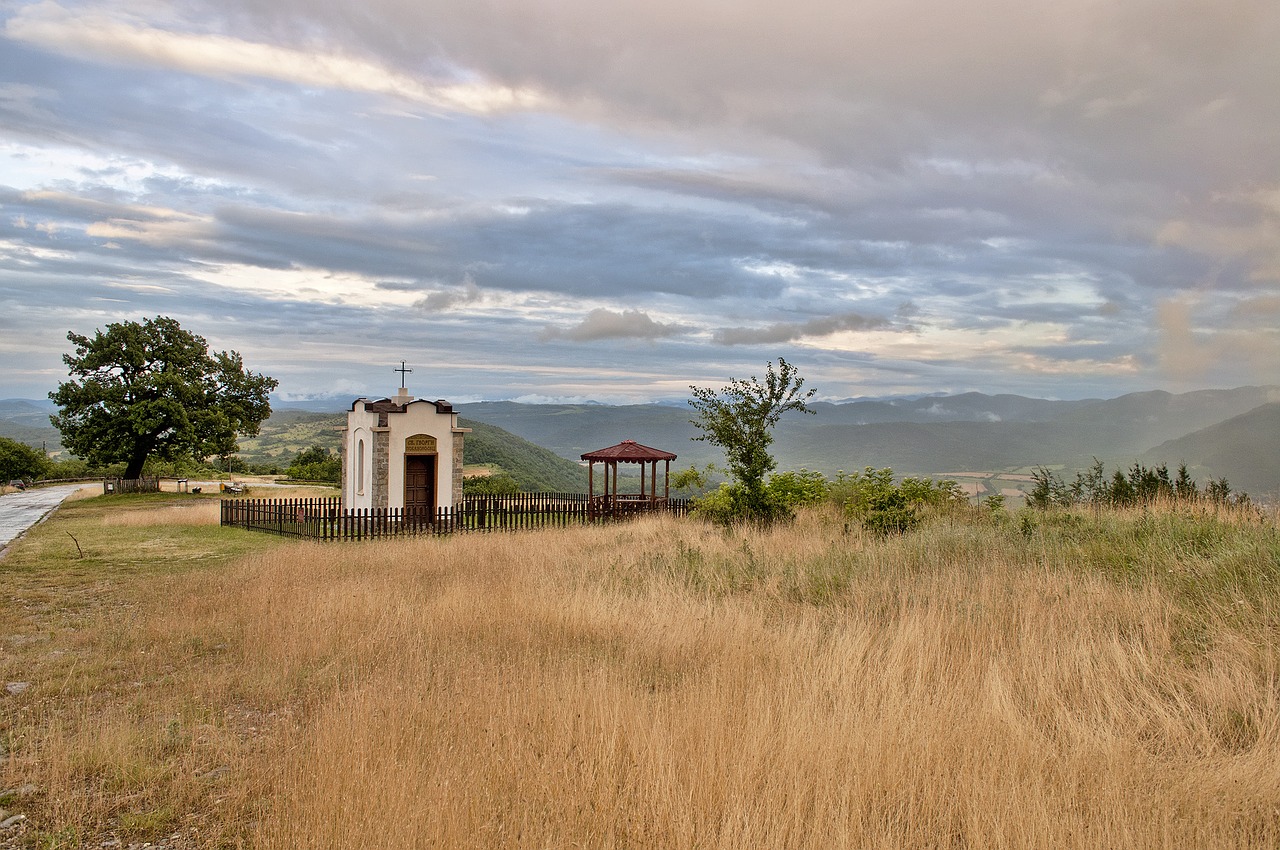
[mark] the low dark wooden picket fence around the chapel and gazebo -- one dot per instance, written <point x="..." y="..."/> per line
<point x="324" y="519"/>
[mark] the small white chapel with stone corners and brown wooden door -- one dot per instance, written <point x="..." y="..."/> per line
<point x="404" y="454"/>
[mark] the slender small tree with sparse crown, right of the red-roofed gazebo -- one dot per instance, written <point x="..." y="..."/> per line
<point x="740" y="419"/>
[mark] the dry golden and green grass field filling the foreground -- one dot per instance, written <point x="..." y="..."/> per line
<point x="1071" y="680"/>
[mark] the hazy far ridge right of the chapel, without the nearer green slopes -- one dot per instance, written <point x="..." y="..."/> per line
<point x="918" y="437"/>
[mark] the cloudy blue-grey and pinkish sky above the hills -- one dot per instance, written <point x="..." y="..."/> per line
<point x="566" y="200"/>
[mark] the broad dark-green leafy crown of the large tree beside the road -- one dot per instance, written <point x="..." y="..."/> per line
<point x="153" y="390"/>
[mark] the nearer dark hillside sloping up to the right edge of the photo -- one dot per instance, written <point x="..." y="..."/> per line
<point x="1245" y="450"/>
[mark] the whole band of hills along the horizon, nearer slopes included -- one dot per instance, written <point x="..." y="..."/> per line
<point x="1218" y="433"/>
